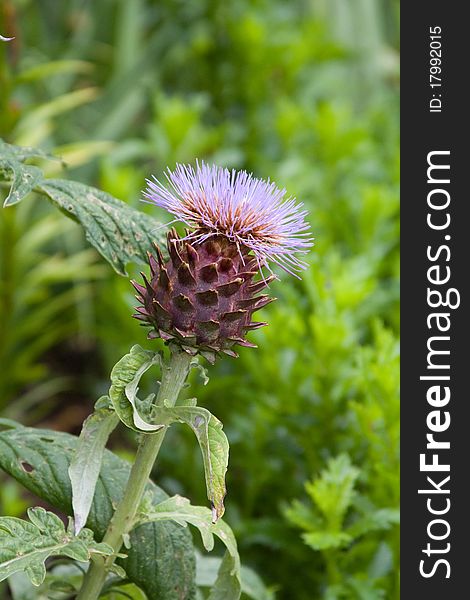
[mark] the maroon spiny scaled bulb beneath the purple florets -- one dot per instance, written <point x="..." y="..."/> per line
<point x="203" y="297"/>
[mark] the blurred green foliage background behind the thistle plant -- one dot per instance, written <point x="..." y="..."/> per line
<point x="304" y="92"/>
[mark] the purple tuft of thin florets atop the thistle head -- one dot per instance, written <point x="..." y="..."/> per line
<point x="250" y="212"/>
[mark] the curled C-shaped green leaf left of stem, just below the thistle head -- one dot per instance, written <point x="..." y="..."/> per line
<point x="125" y="379"/>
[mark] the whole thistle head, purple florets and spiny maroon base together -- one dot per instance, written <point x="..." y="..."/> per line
<point x="204" y="296"/>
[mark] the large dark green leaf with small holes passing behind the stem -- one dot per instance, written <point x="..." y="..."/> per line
<point x="40" y="459"/>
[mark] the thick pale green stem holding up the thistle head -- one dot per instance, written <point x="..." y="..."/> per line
<point x="173" y="377"/>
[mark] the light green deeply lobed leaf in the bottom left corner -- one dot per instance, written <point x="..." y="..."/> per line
<point x="25" y="546"/>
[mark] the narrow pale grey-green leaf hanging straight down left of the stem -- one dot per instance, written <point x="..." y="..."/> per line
<point x="85" y="467"/>
